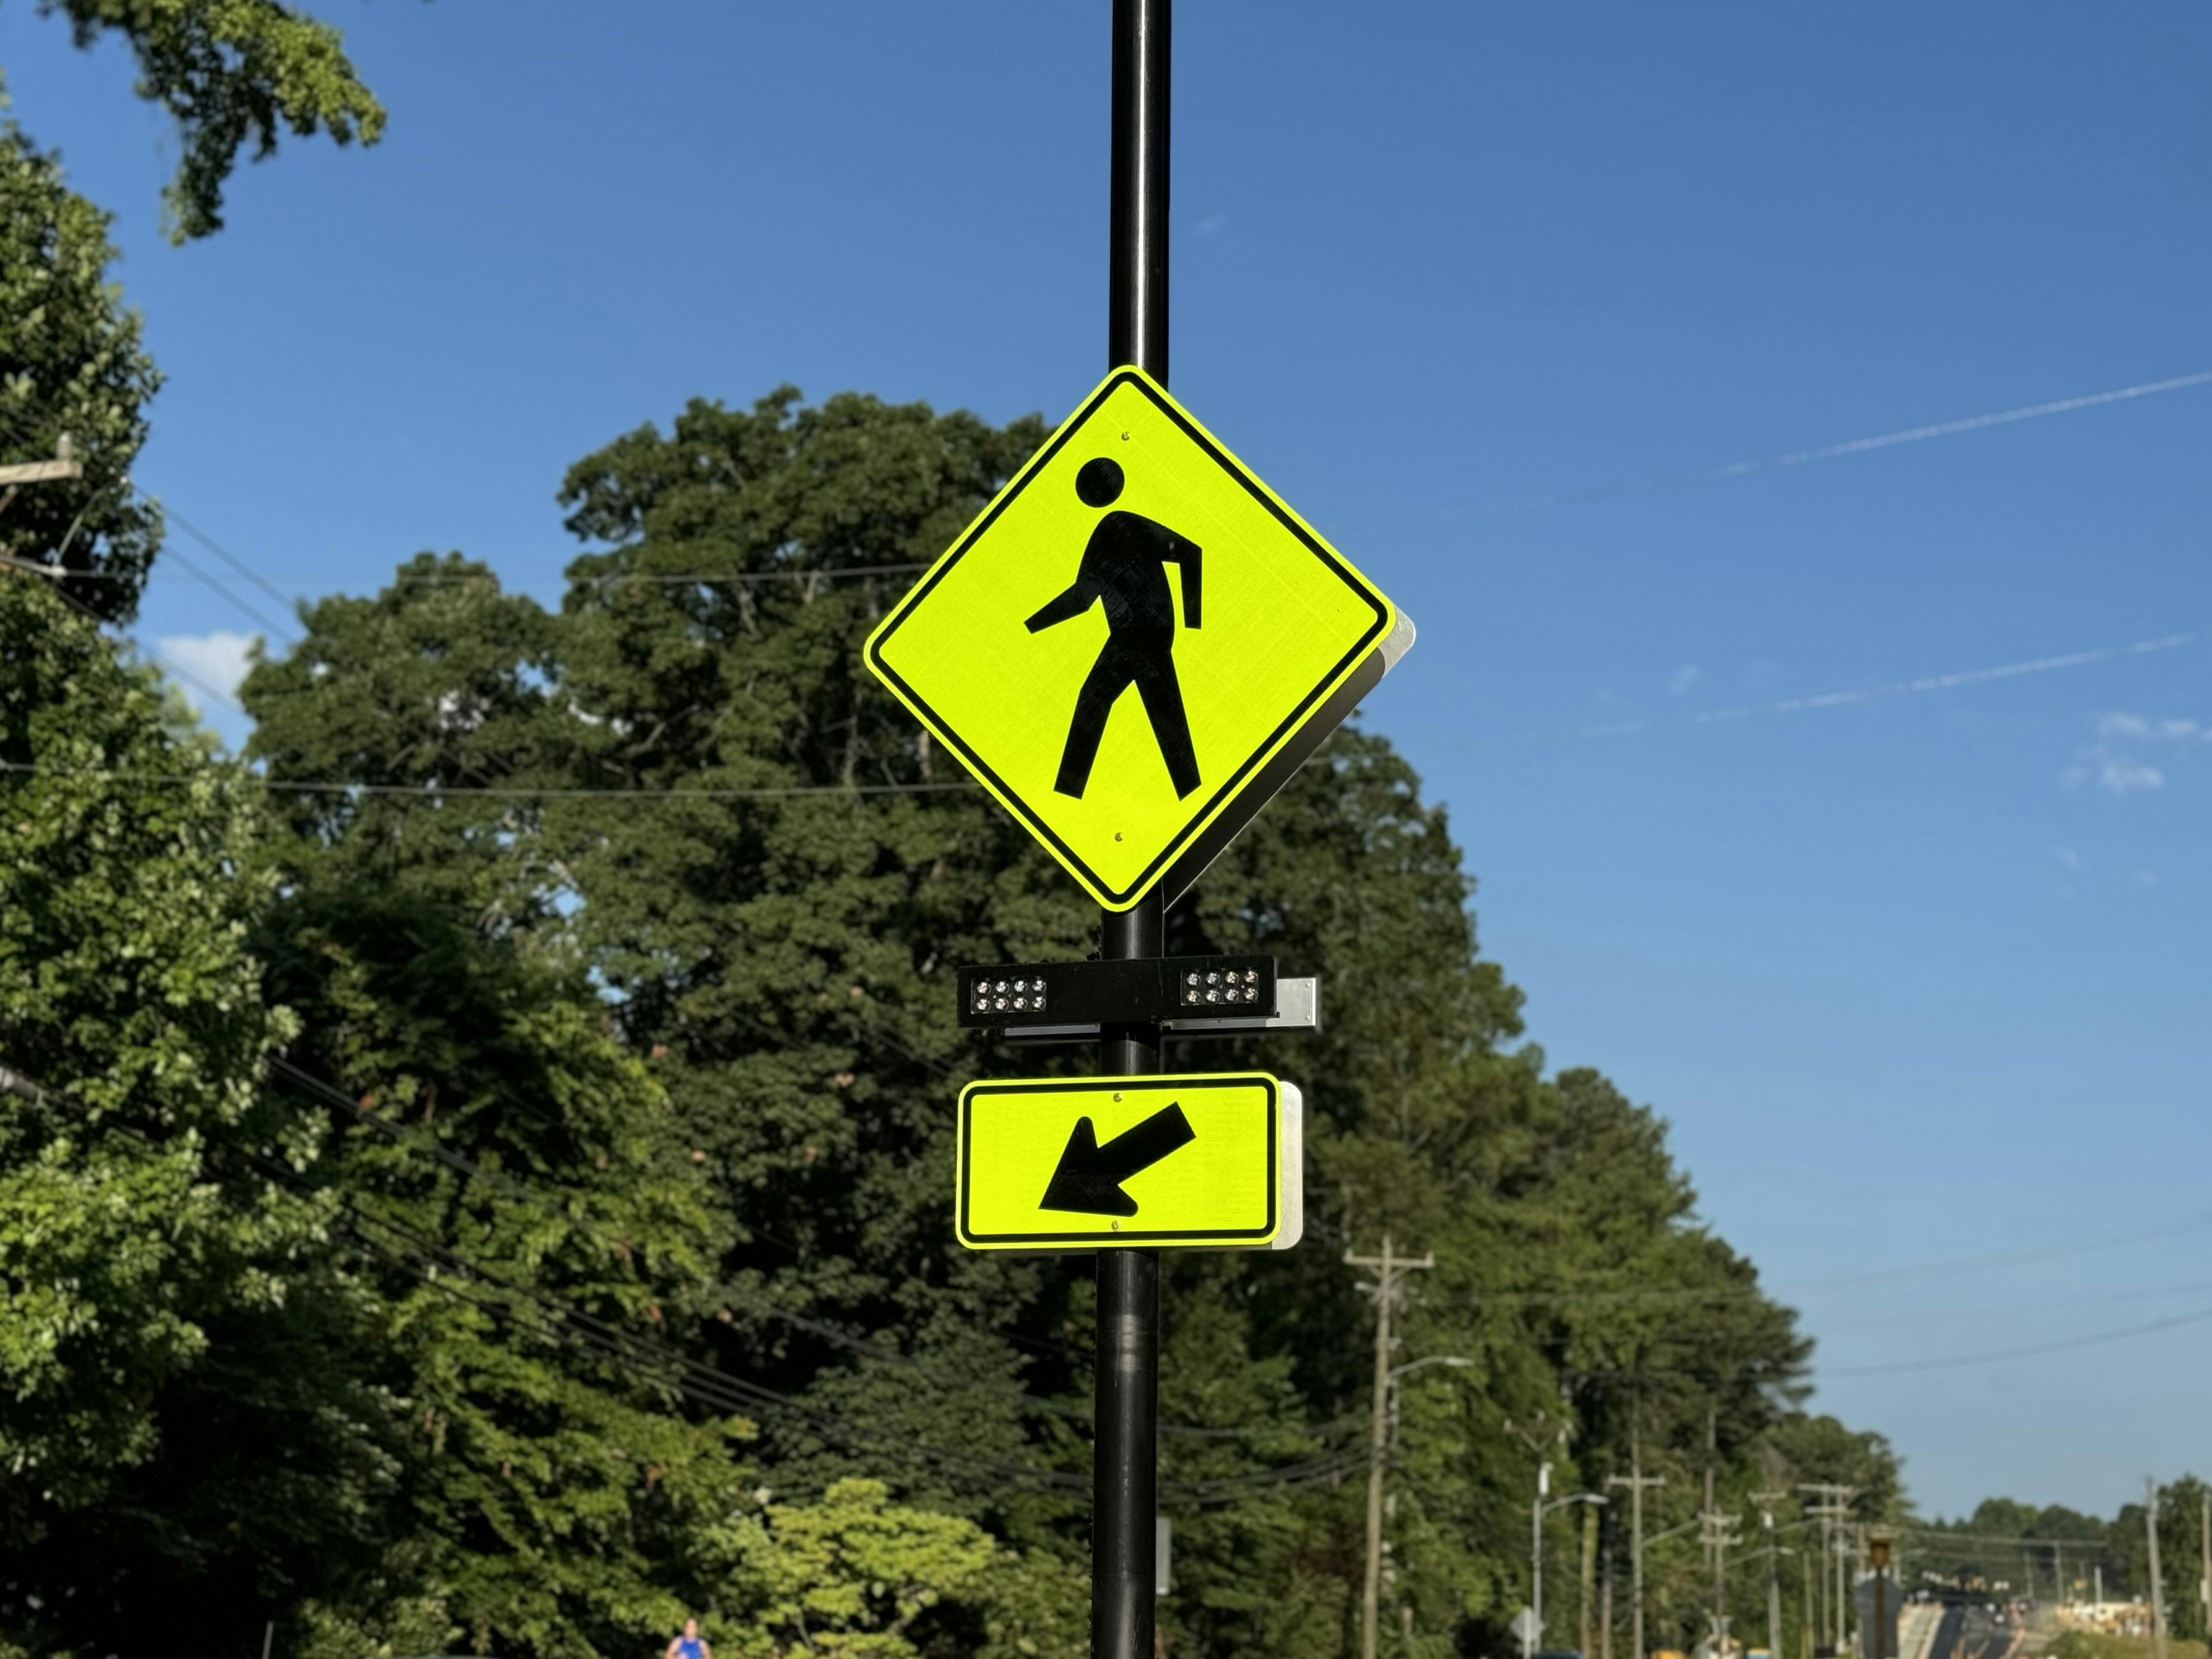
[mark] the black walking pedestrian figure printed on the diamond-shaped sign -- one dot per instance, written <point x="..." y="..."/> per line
<point x="1125" y="567"/>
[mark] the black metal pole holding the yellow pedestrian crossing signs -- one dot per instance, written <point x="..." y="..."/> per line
<point x="1125" y="1477"/>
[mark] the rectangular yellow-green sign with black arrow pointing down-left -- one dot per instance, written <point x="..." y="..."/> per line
<point x="1085" y="1162"/>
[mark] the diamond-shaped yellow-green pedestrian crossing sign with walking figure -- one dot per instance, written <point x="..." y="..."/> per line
<point x="1127" y="638"/>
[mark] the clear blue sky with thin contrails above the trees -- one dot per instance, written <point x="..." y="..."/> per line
<point x="1919" y="979"/>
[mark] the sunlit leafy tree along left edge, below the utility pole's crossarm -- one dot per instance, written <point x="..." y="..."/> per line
<point x="167" y="1295"/>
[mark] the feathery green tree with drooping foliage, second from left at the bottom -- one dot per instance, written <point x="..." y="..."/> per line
<point x="528" y="1233"/>
